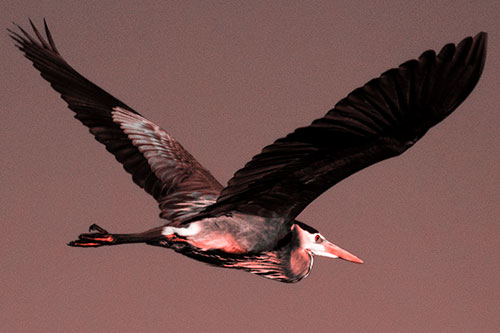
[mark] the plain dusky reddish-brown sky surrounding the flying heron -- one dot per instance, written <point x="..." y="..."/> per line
<point x="226" y="79"/>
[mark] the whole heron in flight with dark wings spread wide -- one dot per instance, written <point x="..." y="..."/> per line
<point x="250" y="224"/>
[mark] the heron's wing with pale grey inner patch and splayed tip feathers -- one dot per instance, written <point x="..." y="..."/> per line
<point x="156" y="161"/>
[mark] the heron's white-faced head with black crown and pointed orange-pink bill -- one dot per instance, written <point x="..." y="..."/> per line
<point x="312" y="241"/>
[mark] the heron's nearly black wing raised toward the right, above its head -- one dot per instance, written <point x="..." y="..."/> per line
<point x="377" y="121"/>
